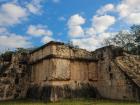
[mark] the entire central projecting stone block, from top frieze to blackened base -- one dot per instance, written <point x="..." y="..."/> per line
<point x="62" y="68"/>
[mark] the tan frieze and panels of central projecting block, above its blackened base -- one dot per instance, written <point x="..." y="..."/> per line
<point x="58" y="62"/>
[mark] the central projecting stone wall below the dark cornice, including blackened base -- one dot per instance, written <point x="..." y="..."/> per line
<point x="62" y="78"/>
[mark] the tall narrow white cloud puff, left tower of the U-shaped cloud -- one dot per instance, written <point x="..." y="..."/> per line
<point x="74" y="25"/>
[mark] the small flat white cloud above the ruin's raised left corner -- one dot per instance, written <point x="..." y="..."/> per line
<point x="38" y="30"/>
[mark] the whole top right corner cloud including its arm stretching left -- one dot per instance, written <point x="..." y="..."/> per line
<point x="128" y="10"/>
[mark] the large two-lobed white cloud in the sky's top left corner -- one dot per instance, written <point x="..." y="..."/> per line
<point x="12" y="13"/>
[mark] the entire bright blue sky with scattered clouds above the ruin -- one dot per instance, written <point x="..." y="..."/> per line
<point x="32" y="23"/>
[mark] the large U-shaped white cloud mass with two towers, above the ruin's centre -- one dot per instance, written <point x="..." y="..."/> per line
<point x="92" y="37"/>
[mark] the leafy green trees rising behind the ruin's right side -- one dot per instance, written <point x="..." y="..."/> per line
<point x="129" y="40"/>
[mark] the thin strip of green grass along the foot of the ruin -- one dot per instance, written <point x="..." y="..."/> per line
<point x="70" y="102"/>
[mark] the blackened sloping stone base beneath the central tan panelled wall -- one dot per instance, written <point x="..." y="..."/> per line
<point x="55" y="93"/>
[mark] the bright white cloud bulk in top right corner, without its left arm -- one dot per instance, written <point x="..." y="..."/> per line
<point x="129" y="11"/>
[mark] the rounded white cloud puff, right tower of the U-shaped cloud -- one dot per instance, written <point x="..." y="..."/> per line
<point x="102" y="23"/>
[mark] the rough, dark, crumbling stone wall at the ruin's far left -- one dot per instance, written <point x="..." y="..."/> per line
<point x="14" y="78"/>
